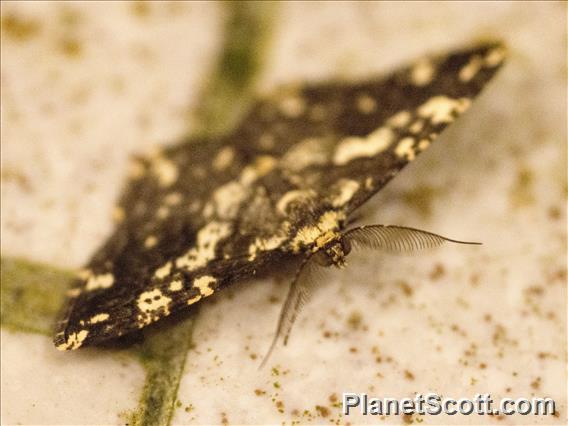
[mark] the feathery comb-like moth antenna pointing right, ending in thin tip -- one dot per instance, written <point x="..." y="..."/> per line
<point x="397" y="239"/>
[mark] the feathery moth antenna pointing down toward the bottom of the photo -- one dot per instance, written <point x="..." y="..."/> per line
<point x="297" y="297"/>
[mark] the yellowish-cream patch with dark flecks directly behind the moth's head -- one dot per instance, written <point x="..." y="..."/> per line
<point x="325" y="230"/>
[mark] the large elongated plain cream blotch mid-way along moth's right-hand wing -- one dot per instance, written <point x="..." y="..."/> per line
<point x="354" y="147"/>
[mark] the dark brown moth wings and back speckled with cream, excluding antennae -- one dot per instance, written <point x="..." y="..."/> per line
<point x="203" y="214"/>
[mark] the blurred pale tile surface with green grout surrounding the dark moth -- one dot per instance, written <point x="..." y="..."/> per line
<point x="85" y="85"/>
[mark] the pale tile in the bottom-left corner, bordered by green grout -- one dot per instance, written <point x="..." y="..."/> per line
<point x="43" y="386"/>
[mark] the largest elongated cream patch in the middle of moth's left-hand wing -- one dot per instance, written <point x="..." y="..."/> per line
<point x="207" y="239"/>
